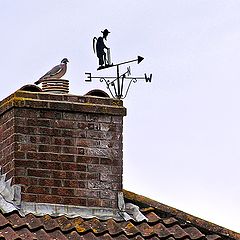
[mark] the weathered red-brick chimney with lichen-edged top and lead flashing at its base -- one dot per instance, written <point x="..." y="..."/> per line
<point x="61" y="154"/>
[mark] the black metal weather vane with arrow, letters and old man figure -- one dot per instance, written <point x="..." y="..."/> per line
<point x="117" y="86"/>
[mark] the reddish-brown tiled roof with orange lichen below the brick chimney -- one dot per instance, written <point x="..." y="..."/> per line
<point x="163" y="222"/>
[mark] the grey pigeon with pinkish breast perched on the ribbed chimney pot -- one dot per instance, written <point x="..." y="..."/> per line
<point x="56" y="72"/>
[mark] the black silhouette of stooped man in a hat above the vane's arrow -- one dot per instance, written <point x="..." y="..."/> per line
<point x="100" y="46"/>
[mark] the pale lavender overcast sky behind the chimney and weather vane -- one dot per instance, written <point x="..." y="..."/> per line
<point x="182" y="131"/>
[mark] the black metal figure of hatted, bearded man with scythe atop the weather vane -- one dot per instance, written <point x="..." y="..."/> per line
<point x="100" y="49"/>
